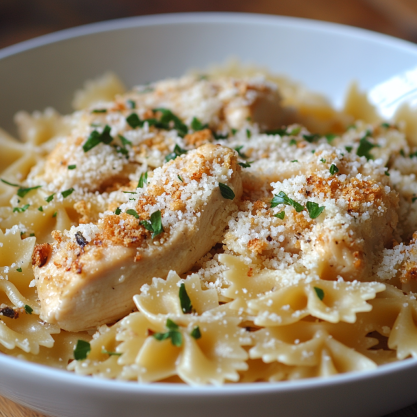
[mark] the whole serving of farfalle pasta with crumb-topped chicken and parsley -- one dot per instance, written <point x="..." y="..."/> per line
<point x="221" y="227"/>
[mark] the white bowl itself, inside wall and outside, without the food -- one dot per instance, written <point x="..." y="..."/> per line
<point x="325" y="57"/>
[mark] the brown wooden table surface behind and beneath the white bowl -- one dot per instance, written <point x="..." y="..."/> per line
<point x="24" y="19"/>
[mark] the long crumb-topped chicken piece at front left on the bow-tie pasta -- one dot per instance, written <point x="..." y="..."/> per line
<point x="89" y="275"/>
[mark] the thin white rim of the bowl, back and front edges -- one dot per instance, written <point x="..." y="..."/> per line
<point x="23" y="367"/>
